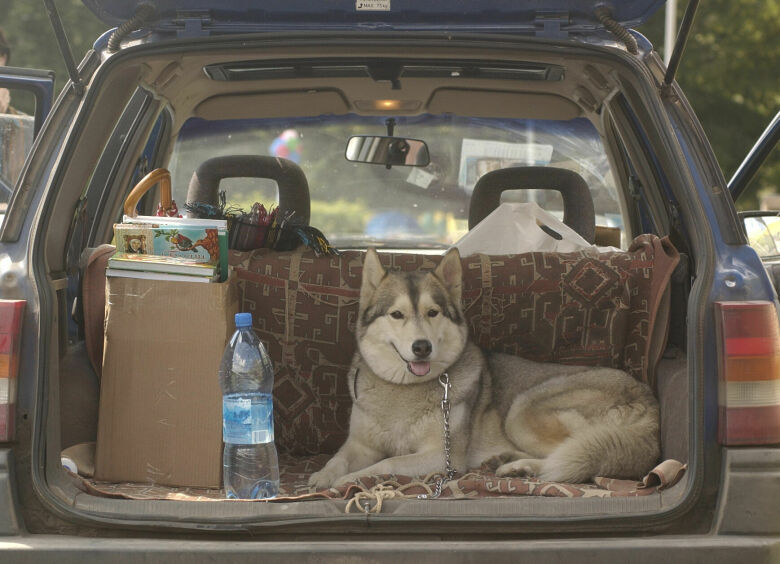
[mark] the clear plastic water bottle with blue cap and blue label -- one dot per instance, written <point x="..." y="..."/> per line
<point x="250" y="463"/>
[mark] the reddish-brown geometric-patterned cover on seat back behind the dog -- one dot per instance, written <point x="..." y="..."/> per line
<point x="578" y="308"/>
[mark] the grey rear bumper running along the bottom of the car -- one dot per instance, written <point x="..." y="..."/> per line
<point x="745" y="527"/>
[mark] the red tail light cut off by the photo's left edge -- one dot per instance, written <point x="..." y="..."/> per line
<point x="11" y="312"/>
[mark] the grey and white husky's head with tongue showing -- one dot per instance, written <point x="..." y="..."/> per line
<point x="411" y="326"/>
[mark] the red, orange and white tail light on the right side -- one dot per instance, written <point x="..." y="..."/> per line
<point x="749" y="366"/>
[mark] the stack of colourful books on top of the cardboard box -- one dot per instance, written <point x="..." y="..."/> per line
<point x="176" y="249"/>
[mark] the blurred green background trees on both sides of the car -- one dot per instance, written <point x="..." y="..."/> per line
<point x="730" y="70"/>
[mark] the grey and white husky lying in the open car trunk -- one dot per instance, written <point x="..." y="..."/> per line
<point x="557" y="422"/>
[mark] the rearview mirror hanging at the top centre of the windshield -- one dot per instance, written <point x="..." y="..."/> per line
<point x="387" y="151"/>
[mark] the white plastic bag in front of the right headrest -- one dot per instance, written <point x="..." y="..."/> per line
<point x="514" y="228"/>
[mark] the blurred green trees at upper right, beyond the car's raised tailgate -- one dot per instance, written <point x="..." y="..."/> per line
<point x="730" y="72"/>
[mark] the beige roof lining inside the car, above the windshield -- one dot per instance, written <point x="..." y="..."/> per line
<point x="185" y="86"/>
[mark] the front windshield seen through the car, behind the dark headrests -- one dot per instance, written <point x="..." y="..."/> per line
<point x="359" y="204"/>
